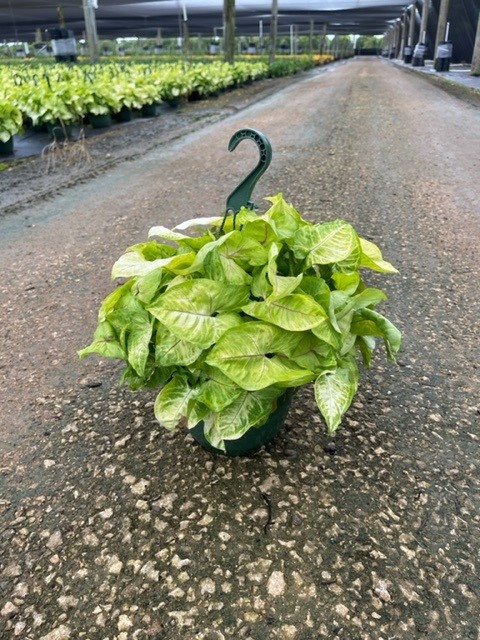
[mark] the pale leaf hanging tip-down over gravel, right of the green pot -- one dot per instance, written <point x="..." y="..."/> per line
<point x="334" y="392"/>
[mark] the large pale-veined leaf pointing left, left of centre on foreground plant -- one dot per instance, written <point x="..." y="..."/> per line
<point x="190" y="309"/>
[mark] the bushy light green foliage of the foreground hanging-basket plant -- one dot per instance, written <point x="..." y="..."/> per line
<point x="225" y="320"/>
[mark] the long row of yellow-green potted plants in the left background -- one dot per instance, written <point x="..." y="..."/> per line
<point x="36" y="95"/>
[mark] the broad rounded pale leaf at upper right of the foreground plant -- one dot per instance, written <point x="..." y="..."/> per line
<point x="327" y="243"/>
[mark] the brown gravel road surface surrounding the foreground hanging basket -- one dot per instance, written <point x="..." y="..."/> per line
<point x="113" y="529"/>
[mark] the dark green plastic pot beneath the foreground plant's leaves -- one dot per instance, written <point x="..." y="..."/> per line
<point x="256" y="437"/>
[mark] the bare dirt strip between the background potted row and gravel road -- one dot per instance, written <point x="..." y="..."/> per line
<point x="24" y="178"/>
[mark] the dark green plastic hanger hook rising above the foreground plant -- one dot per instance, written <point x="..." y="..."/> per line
<point x="240" y="196"/>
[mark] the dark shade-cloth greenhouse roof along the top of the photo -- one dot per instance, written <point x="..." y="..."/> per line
<point x="20" y="18"/>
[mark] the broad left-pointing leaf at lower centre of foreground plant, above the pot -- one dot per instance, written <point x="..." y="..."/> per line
<point x="249" y="355"/>
